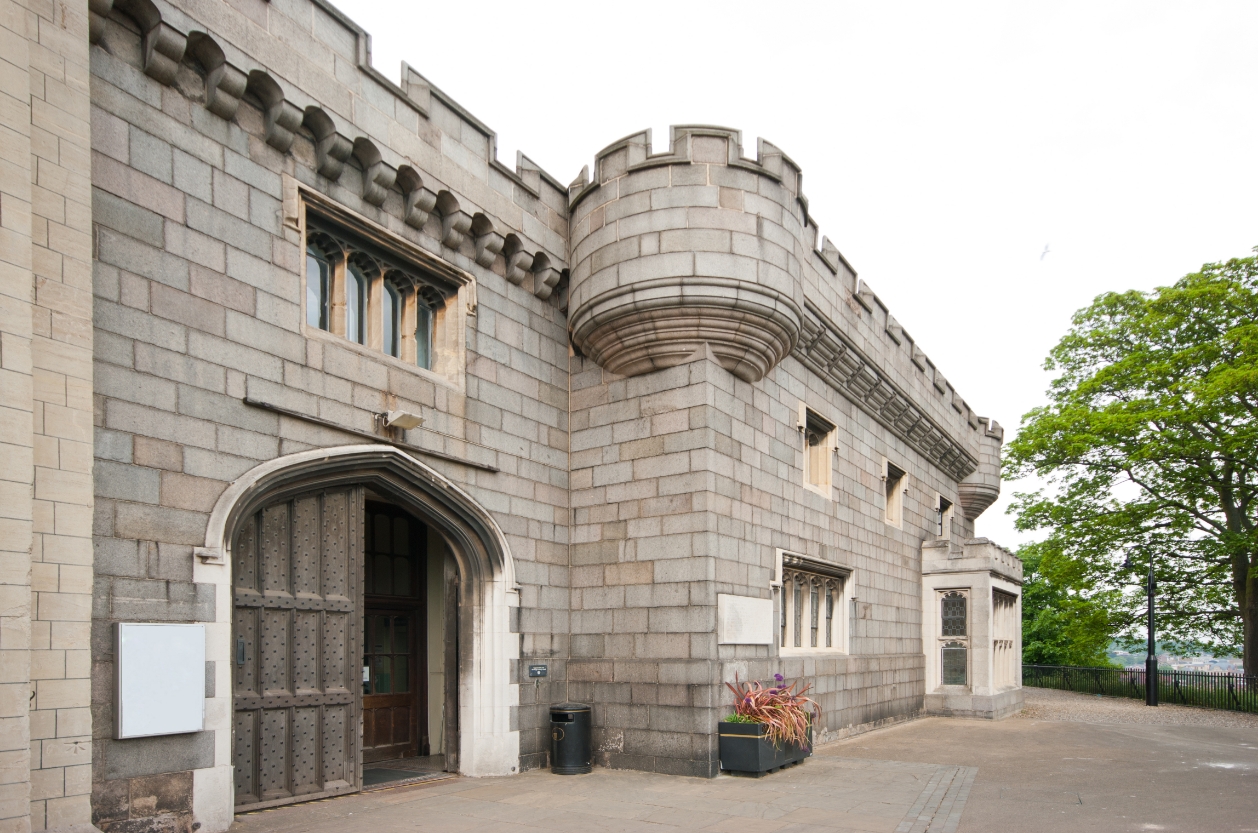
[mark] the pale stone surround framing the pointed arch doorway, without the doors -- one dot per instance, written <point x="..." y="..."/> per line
<point x="487" y="592"/>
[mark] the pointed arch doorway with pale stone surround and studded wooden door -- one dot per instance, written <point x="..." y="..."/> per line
<point x="344" y="569"/>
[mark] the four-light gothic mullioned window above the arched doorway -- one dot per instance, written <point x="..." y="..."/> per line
<point x="363" y="293"/>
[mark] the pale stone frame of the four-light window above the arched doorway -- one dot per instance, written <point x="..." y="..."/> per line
<point x="450" y="291"/>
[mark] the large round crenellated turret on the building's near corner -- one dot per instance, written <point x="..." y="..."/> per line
<point x="696" y="246"/>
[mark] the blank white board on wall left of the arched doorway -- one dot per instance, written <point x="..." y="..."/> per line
<point x="160" y="680"/>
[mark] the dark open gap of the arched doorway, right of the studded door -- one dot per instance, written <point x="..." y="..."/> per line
<point x="409" y="587"/>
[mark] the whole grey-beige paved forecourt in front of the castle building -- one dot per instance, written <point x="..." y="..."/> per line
<point x="1088" y="768"/>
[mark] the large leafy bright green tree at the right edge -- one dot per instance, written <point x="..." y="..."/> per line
<point x="1150" y="450"/>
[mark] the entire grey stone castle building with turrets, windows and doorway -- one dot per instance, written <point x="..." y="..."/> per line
<point x="298" y="374"/>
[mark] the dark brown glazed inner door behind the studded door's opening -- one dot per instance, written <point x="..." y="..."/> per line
<point x="394" y="670"/>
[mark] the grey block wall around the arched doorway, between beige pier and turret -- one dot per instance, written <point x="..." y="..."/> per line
<point x="199" y="305"/>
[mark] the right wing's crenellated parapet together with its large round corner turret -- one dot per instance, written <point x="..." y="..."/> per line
<point x="701" y="245"/>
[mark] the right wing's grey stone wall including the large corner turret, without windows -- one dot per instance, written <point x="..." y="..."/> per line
<point x="696" y="275"/>
